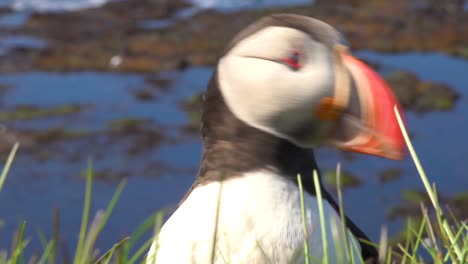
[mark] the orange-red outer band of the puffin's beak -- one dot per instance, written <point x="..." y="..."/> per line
<point x="382" y="135"/>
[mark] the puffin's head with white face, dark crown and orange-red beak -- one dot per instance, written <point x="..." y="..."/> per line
<point x="292" y="76"/>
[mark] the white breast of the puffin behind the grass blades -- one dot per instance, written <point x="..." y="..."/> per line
<point x="260" y="221"/>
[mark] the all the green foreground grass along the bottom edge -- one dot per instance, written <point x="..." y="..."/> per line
<point x="432" y="240"/>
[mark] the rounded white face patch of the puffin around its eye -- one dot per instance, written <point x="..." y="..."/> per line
<point x="268" y="95"/>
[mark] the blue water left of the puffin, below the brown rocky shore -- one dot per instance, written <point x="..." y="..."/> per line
<point x="34" y="188"/>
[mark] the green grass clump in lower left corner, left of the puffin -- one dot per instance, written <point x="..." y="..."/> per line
<point x="123" y="251"/>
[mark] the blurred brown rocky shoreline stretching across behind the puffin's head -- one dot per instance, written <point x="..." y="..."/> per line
<point x="89" y="39"/>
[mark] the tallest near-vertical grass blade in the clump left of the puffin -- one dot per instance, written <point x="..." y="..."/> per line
<point x="85" y="216"/>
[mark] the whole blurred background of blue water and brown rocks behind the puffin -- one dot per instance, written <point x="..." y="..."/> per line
<point x="119" y="82"/>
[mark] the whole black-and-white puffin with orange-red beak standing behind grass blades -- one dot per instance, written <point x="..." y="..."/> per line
<point x="284" y="85"/>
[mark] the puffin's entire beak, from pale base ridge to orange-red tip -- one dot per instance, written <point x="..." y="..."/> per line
<point x="378" y="132"/>
